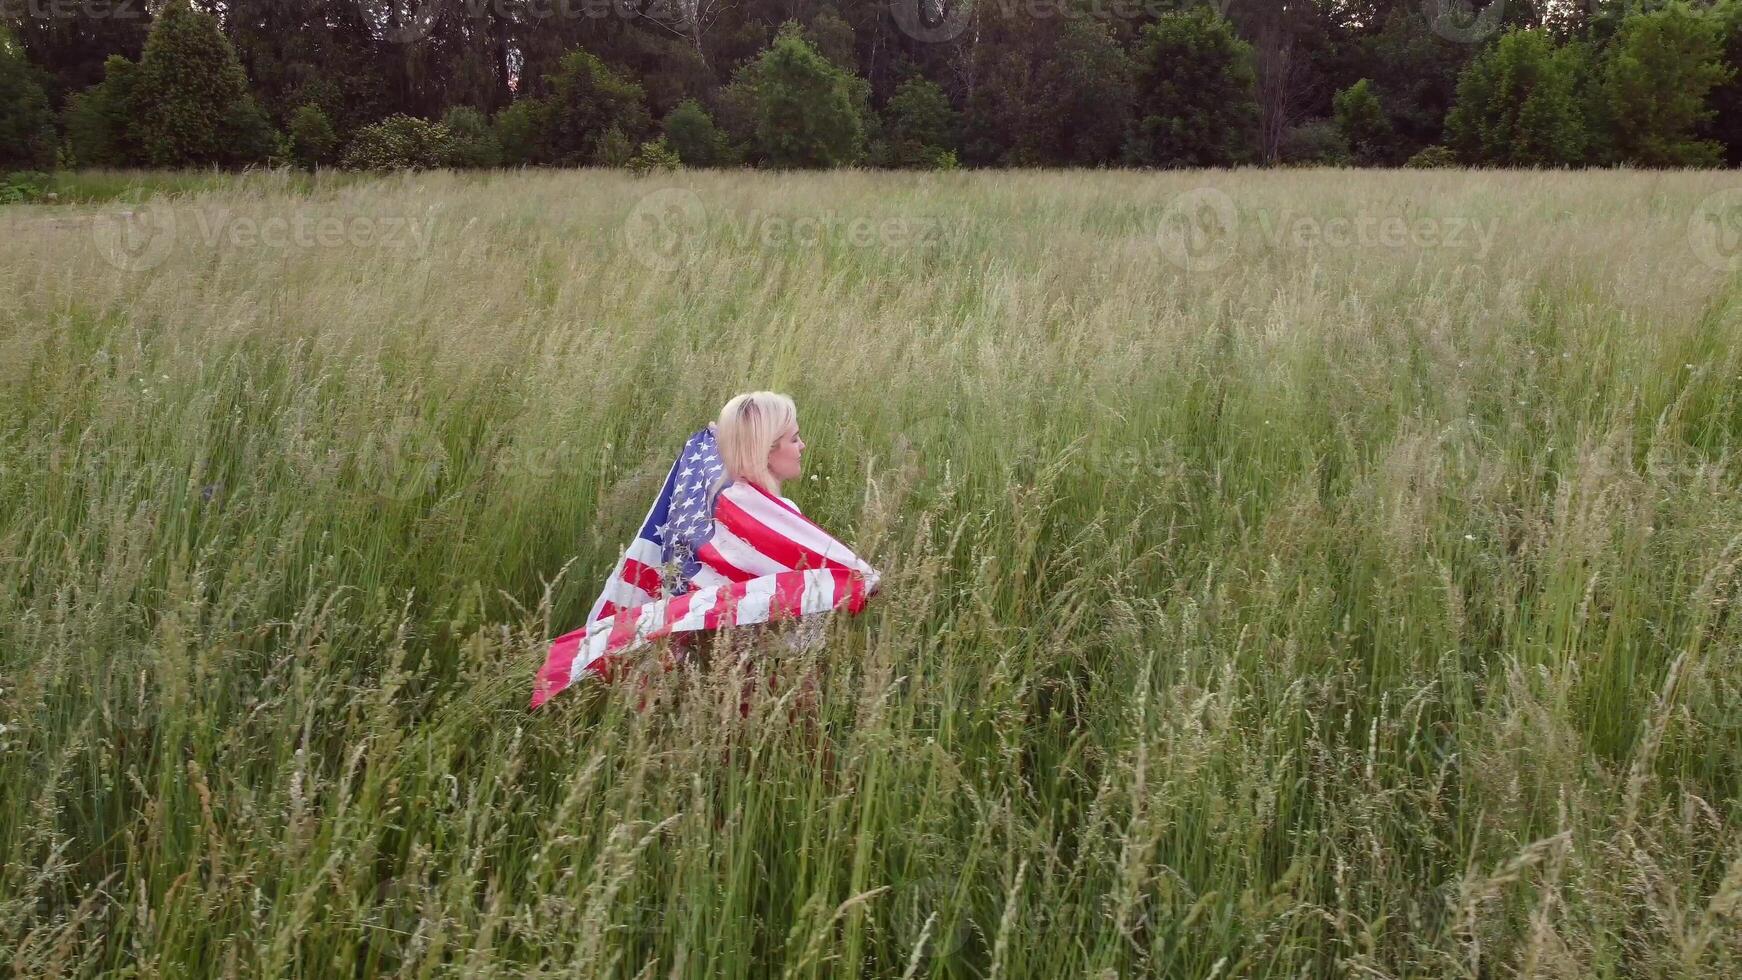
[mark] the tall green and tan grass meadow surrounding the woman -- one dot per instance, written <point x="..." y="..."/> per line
<point x="1300" y="574"/>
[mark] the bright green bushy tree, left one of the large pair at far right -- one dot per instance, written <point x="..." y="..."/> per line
<point x="1518" y="105"/>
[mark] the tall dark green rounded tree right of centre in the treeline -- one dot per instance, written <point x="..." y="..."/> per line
<point x="1196" y="93"/>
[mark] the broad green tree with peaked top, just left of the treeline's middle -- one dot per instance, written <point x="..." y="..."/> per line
<point x="802" y="109"/>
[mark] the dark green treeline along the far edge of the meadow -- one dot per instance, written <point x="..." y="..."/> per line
<point x="382" y="84"/>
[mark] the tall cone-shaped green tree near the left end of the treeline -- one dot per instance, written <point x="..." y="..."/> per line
<point x="191" y="97"/>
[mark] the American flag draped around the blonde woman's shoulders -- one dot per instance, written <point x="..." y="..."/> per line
<point x="741" y="560"/>
